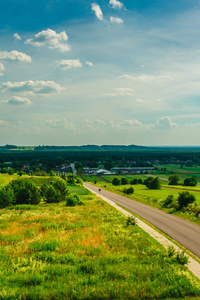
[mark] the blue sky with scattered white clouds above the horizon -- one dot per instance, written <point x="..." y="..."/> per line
<point x="77" y="72"/>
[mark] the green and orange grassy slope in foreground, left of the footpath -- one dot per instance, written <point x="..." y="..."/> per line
<point x="52" y="251"/>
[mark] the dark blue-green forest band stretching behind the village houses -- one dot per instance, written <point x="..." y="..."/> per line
<point x="53" y="158"/>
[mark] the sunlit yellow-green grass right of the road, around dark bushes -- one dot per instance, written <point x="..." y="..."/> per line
<point x="154" y="197"/>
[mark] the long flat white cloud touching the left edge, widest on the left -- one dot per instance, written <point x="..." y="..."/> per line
<point x="36" y="87"/>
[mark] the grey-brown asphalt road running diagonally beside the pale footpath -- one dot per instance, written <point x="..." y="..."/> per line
<point x="185" y="233"/>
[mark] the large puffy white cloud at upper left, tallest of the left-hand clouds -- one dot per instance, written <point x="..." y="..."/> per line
<point x="51" y="39"/>
